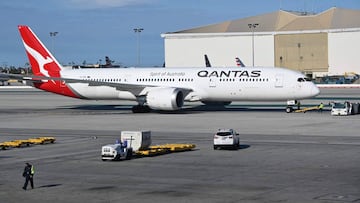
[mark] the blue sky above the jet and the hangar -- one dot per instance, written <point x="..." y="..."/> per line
<point x="89" y="30"/>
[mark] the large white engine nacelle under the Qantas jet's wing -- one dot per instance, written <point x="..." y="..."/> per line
<point x="165" y="98"/>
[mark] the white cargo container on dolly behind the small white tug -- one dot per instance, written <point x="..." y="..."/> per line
<point x="137" y="140"/>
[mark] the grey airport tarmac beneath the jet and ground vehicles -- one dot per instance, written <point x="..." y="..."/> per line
<point x="284" y="157"/>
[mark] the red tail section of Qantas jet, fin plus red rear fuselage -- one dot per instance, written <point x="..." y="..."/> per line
<point x="44" y="64"/>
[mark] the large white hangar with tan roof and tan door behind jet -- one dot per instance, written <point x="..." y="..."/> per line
<point x="326" y="43"/>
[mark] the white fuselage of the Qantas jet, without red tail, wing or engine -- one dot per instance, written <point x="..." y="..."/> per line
<point x="206" y="84"/>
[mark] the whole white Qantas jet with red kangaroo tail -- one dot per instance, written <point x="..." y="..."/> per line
<point x="163" y="88"/>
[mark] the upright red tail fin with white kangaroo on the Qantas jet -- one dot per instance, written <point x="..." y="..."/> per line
<point x="42" y="62"/>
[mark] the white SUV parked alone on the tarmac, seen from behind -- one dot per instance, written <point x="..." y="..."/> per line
<point x="226" y="138"/>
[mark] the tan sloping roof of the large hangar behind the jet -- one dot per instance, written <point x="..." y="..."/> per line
<point x="333" y="18"/>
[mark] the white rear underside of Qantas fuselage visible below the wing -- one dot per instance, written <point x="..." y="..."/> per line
<point x="100" y="92"/>
